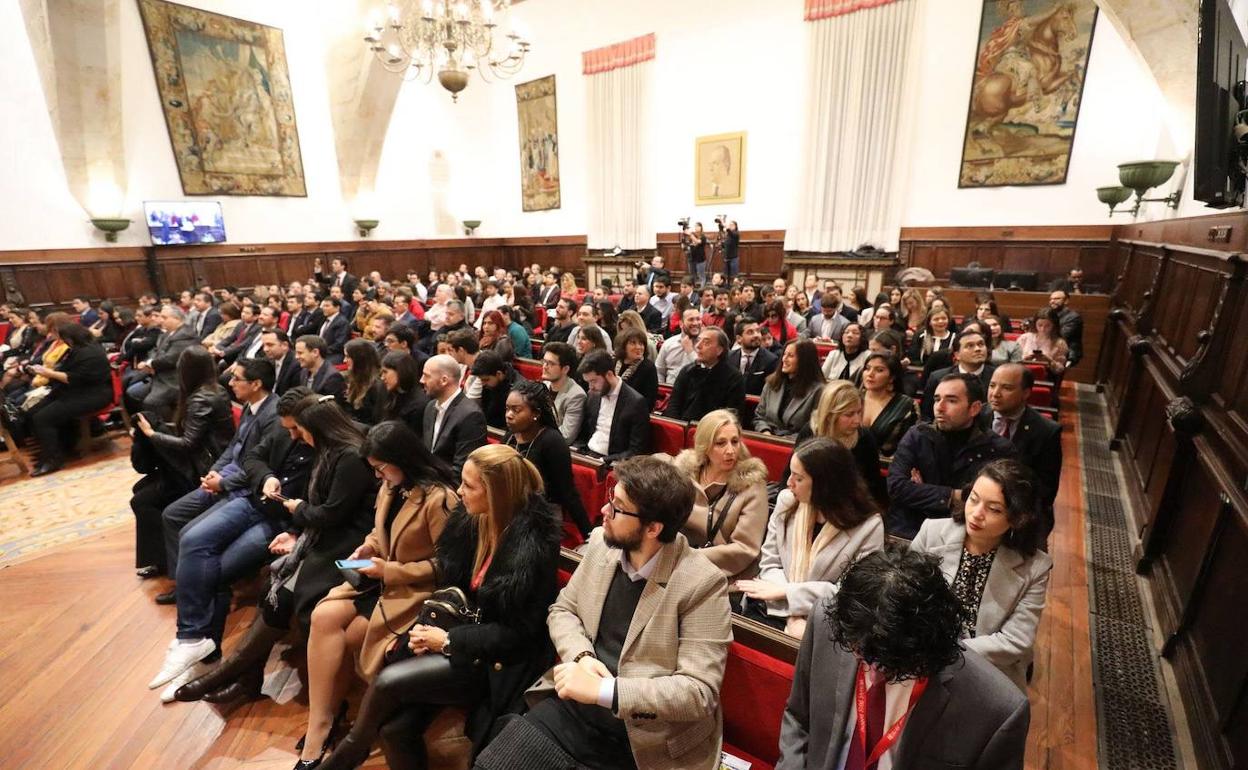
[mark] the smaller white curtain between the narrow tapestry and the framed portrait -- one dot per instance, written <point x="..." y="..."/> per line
<point x="620" y="158"/>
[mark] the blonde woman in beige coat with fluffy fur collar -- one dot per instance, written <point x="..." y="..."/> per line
<point x="731" y="510"/>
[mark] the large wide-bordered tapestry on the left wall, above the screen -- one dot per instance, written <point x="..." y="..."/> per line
<point x="227" y="94"/>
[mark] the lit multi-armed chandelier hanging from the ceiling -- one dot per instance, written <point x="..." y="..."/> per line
<point x="420" y="38"/>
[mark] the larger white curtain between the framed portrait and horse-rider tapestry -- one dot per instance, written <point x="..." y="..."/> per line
<point x="854" y="158"/>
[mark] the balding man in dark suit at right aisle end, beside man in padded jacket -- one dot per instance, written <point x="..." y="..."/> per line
<point x="1038" y="439"/>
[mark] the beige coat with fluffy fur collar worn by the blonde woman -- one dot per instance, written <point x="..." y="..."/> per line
<point x="737" y="512"/>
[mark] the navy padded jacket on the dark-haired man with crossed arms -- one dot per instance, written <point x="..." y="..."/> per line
<point x="927" y="450"/>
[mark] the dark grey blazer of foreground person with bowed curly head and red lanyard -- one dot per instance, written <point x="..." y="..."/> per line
<point x="972" y="716"/>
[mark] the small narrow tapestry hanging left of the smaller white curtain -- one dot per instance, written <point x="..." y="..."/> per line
<point x="540" y="144"/>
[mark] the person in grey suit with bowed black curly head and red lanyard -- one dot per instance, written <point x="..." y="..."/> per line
<point x="902" y="621"/>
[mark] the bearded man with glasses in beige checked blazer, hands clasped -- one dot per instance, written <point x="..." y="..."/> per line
<point x="643" y="631"/>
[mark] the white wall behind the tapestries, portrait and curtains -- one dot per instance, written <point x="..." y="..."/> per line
<point x="722" y="66"/>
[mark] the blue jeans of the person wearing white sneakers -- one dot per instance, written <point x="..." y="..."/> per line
<point x="222" y="546"/>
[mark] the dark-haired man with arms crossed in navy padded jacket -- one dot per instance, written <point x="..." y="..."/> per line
<point x="937" y="461"/>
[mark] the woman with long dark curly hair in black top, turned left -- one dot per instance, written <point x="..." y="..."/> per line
<point x="534" y="431"/>
